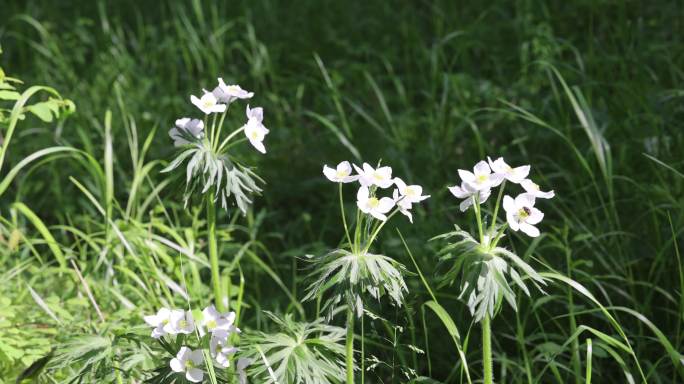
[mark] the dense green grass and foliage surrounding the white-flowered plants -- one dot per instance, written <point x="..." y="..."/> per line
<point x="93" y="236"/>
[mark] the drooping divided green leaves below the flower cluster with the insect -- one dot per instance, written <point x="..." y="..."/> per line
<point x="487" y="275"/>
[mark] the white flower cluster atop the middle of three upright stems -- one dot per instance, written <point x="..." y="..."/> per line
<point x="372" y="179"/>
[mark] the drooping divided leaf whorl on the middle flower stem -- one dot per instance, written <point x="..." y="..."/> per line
<point x="353" y="276"/>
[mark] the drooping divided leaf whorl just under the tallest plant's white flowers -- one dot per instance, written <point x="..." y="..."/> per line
<point x="206" y="171"/>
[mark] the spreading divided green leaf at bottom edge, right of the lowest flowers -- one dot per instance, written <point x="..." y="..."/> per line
<point x="299" y="352"/>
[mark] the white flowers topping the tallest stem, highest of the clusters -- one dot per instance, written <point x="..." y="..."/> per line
<point x="217" y="101"/>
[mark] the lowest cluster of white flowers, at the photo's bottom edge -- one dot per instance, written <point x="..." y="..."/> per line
<point x="220" y="326"/>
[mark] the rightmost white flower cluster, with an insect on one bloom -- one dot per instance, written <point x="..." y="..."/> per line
<point x="476" y="187"/>
